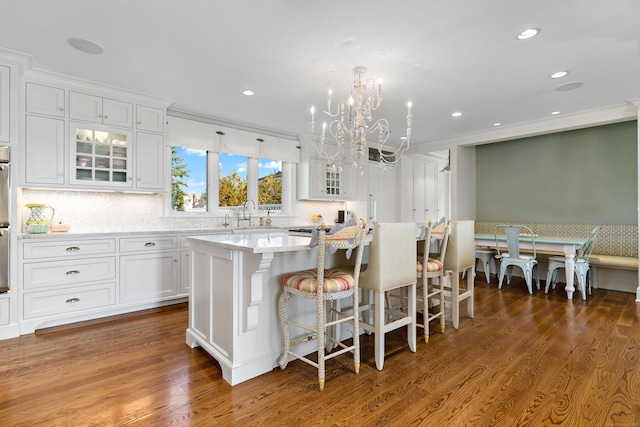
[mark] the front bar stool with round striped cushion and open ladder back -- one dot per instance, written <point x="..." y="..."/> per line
<point x="324" y="285"/>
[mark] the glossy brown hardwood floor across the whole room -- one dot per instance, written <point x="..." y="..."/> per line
<point x="535" y="360"/>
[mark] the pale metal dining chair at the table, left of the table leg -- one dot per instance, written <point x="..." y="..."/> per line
<point x="514" y="257"/>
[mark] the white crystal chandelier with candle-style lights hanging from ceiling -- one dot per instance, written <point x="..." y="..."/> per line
<point x="351" y="122"/>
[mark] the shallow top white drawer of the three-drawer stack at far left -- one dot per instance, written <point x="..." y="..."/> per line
<point x="49" y="249"/>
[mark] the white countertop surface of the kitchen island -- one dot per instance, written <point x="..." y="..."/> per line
<point x="256" y="242"/>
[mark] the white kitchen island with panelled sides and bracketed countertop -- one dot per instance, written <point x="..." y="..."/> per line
<point x="233" y="308"/>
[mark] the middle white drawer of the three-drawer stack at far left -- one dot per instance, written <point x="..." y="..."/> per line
<point x="51" y="273"/>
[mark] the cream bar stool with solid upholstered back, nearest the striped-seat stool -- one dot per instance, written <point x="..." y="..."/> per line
<point x="392" y="265"/>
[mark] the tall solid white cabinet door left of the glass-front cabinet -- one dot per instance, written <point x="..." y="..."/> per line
<point x="44" y="151"/>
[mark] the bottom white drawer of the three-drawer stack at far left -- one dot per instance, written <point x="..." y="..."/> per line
<point x="46" y="303"/>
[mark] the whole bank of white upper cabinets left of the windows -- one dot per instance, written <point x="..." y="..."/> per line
<point x="78" y="139"/>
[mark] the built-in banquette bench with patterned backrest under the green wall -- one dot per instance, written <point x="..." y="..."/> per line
<point x="616" y="249"/>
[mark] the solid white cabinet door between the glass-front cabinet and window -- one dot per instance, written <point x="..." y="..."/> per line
<point x="149" y="161"/>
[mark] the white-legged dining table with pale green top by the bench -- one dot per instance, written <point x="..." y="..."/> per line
<point x="566" y="245"/>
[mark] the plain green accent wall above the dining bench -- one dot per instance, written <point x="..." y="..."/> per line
<point x="585" y="176"/>
